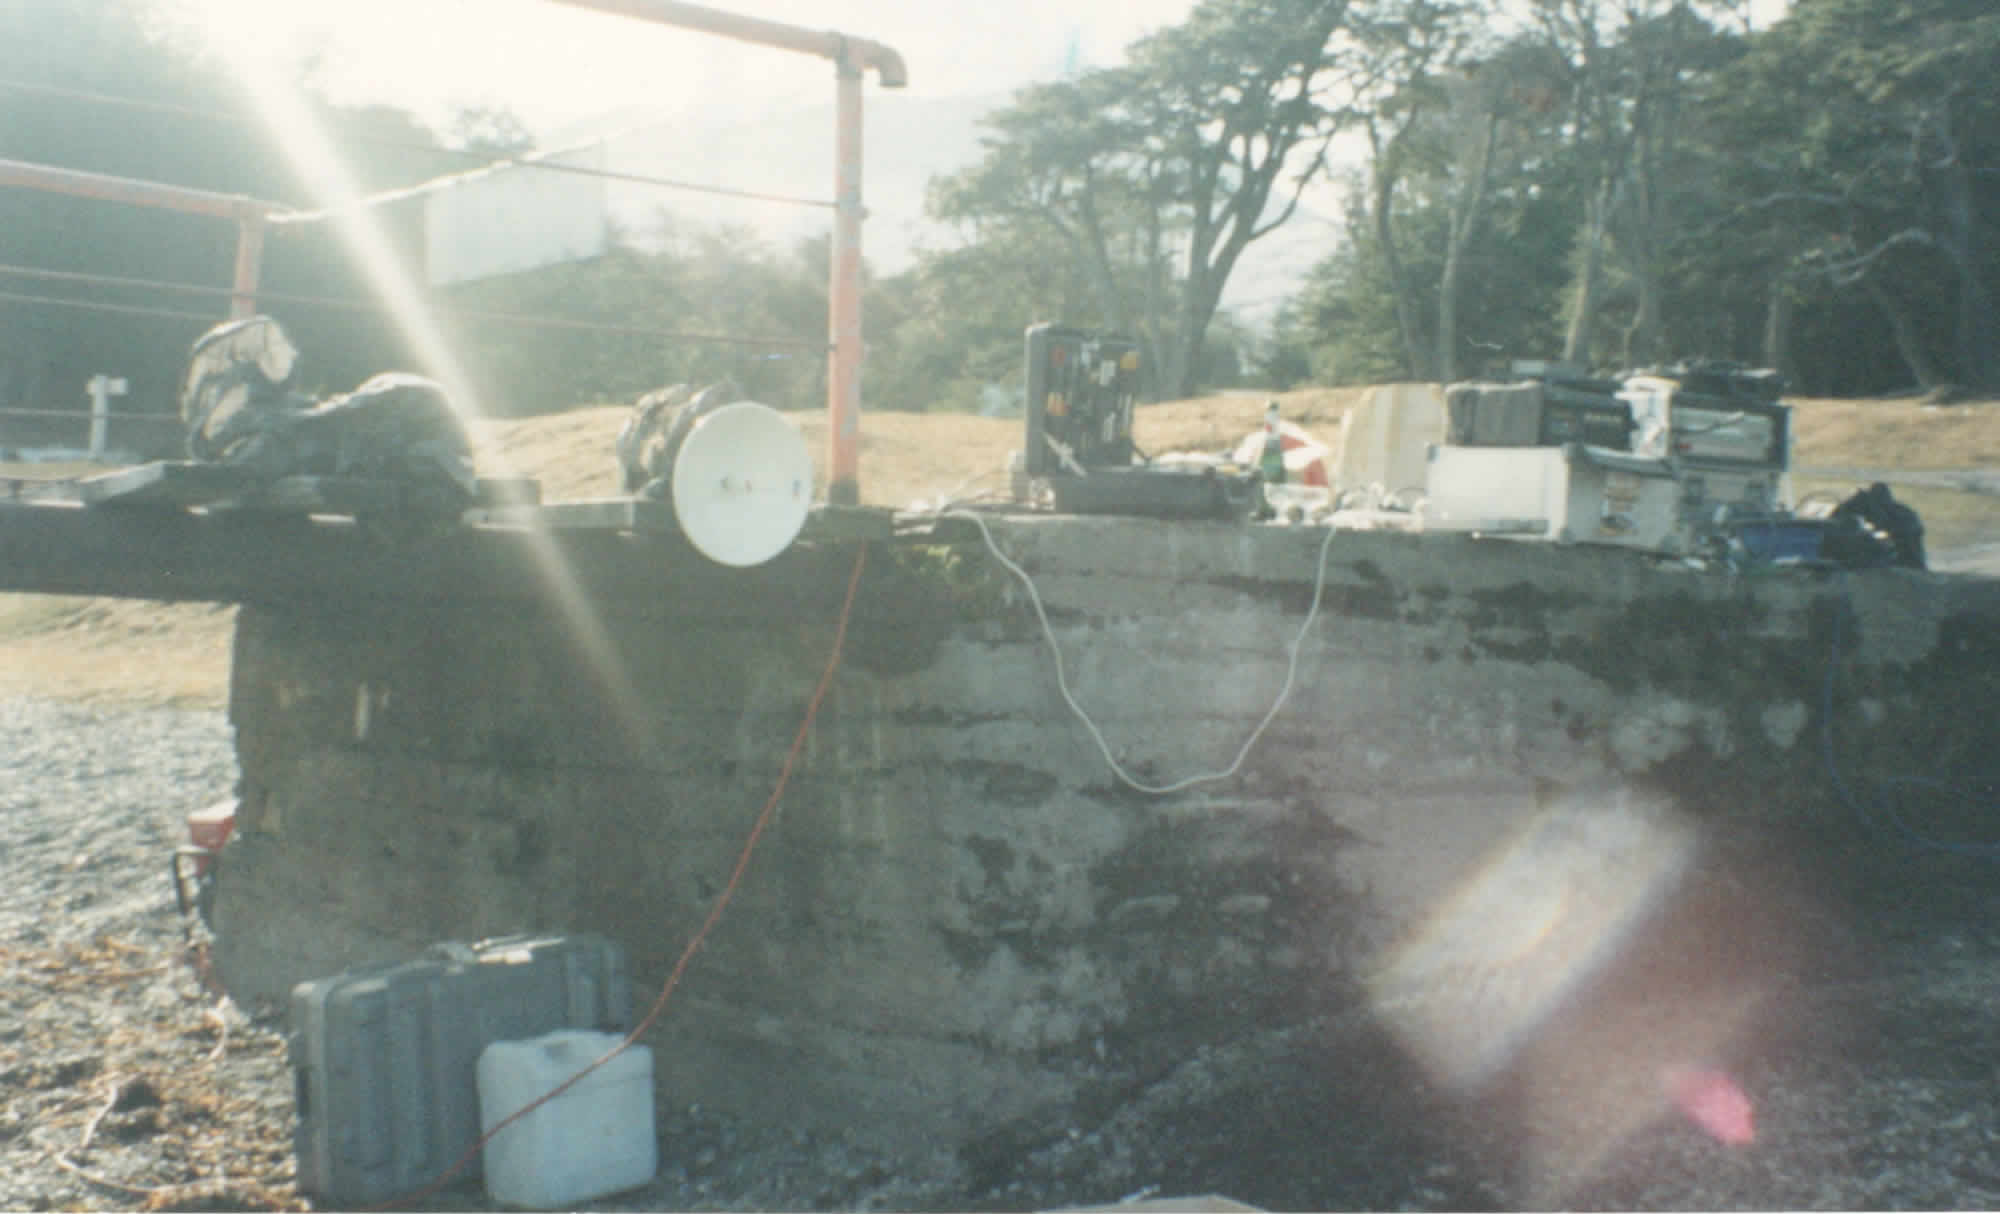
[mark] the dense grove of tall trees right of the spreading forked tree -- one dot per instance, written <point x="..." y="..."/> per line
<point x="1621" y="185"/>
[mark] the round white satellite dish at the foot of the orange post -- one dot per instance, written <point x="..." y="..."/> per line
<point x="743" y="485"/>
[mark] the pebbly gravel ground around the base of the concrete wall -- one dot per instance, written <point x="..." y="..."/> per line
<point x="127" y="1083"/>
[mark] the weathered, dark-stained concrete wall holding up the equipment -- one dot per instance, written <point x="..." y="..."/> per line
<point x="959" y="915"/>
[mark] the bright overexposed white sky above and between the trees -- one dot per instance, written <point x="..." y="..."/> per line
<point x="733" y="113"/>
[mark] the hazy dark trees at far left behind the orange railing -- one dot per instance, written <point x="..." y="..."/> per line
<point x="123" y="91"/>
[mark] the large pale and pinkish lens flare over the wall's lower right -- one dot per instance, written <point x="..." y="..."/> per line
<point x="1579" y="987"/>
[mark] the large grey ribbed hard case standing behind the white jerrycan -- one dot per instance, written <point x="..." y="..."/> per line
<point x="385" y="1057"/>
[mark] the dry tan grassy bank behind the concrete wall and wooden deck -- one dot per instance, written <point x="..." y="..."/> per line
<point x="143" y="653"/>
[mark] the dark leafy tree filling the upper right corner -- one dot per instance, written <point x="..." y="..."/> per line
<point x="1883" y="137"/>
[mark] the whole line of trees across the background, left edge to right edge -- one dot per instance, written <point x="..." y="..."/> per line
<point x="1613" y="183"/>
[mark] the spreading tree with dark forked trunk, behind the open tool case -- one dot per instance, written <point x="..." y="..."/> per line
<point x="1159" y="175"/>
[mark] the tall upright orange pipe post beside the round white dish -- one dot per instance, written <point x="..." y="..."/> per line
<point x="845" y="293"/>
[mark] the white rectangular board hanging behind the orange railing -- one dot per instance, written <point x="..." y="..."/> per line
<point x="517" y="219"/>
